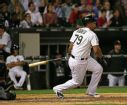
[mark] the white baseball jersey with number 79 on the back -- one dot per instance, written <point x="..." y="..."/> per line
<point x="83" y="39"/>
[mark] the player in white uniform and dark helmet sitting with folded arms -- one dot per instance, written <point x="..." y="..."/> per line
<point x="15" y="64"/>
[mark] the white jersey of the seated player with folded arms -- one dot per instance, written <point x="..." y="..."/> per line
<point x="13" y="58"/>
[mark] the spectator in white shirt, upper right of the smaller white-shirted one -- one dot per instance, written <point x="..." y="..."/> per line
<point x="36" y="17"/>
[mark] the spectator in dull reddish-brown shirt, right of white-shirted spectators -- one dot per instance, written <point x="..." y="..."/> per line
<point x="50" y="18"/>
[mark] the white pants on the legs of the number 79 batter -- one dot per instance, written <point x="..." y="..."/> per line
<point x="78" y="73"/>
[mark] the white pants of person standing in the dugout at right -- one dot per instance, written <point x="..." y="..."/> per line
<point x="114" y="80"/>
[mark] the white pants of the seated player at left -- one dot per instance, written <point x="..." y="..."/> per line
<point x="17" y="73"/>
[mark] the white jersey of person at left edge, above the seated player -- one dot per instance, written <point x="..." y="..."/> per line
<point x="6" y="40"/>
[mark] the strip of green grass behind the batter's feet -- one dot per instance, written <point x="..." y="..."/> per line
<point x="76" y="91"/>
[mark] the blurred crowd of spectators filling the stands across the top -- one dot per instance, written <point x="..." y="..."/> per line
<point x="66" y="13"/>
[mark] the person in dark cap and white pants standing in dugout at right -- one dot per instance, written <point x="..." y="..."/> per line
<point x="116" y="65"/>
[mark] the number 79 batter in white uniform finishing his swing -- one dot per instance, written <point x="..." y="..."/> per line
<point x="81" y="42"/>
